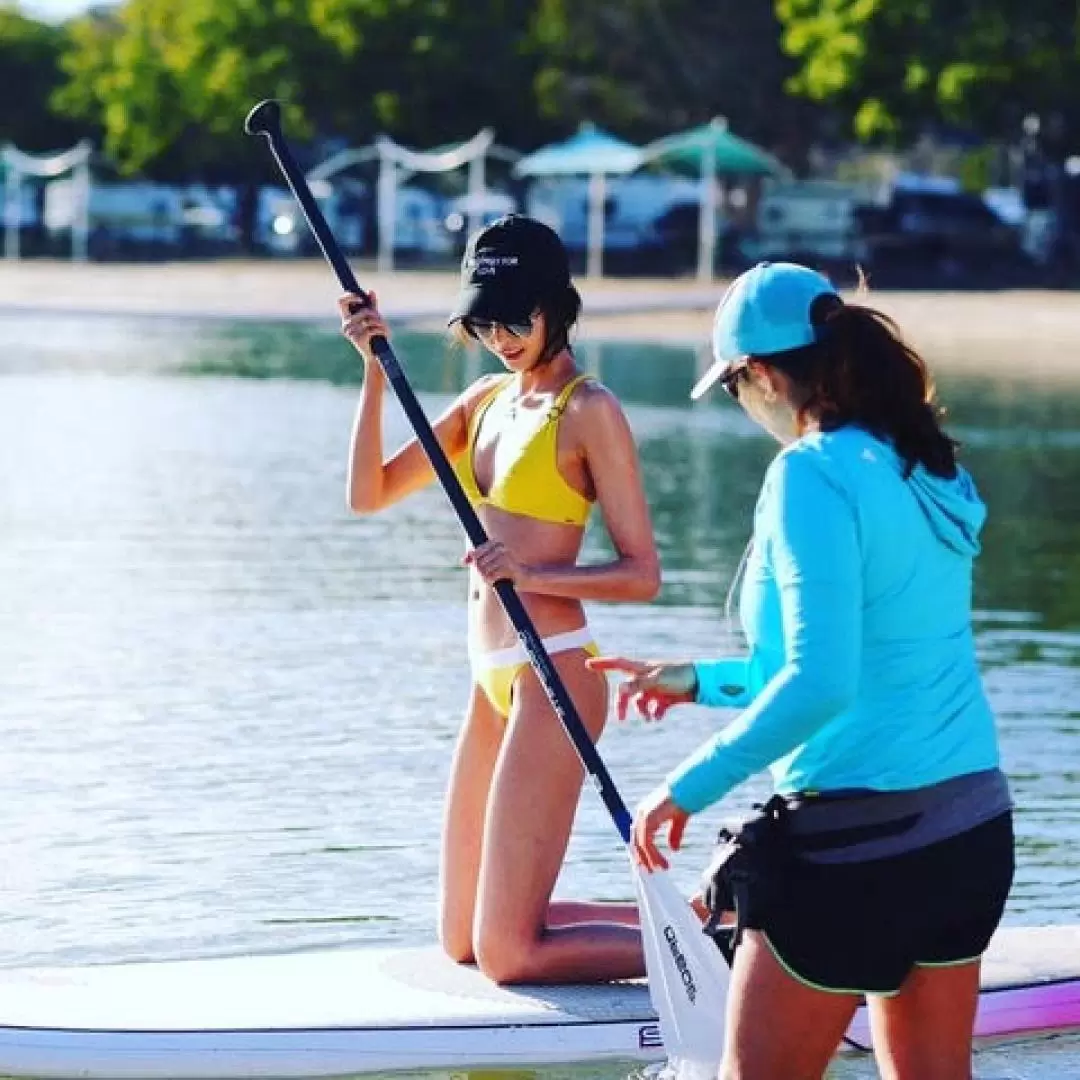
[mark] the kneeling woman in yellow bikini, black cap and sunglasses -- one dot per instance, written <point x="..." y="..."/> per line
<point x="534" y="449"/>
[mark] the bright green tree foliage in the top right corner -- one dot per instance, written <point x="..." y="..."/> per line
<point x="893" y="66"/>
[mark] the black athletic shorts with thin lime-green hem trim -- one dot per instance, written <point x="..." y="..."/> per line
<point x="863" y="927"/>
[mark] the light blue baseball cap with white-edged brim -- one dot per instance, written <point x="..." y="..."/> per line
<point x="766" y="310"/>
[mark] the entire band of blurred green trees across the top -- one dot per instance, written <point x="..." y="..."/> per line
<point x="169" y="83"/>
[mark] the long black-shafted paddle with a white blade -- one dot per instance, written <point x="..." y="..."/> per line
<point x="687" y="982"/>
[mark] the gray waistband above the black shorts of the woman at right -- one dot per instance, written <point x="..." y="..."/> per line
<point x="924" y="816"/>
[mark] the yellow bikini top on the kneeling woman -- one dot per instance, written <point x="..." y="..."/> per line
<point x="532" y="485"/>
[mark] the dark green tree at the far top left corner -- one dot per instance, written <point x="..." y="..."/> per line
<point x="30" y="70"/>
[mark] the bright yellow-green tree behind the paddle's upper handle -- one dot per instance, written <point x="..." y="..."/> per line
<point x="173" y="83"/>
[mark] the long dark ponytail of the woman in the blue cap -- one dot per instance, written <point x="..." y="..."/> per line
<point x="862" y="372"/>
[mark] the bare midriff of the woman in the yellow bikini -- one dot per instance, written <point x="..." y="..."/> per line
<point x="537" y="544"/>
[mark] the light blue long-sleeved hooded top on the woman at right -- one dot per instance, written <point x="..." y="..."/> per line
<point x="857" y="607"/>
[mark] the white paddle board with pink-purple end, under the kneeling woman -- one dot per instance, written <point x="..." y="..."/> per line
<point x="373" y="1010"/>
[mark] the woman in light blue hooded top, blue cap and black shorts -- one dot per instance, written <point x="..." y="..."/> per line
<point x="883" y="865"/>
